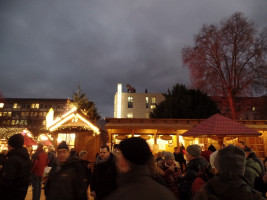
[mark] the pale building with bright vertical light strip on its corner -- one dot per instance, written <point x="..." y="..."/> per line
<point x="134" y="105"/>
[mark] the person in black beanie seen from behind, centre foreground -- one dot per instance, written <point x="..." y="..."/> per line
<point x="135" y="180"/>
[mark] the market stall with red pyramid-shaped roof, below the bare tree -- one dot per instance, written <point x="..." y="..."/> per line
<point x="219" y="130"/>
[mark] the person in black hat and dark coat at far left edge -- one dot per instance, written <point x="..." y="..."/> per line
<point x="15" y="174"/>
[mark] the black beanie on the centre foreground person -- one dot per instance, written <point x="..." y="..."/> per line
<point x="135" y="150"/>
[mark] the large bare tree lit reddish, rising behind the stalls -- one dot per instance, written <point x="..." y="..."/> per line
<point x="228" y="60"/>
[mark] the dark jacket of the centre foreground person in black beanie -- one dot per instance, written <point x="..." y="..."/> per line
<point x="138" y="184"/>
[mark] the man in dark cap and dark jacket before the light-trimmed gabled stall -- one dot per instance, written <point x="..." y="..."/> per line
<point x="67" y="179"/>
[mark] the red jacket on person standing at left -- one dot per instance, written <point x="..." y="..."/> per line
<point x="39" y="162"/>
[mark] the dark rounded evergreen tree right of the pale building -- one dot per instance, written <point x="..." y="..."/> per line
<point x="183" y="103"/>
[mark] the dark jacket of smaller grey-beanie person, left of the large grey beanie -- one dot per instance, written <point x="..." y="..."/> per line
<point x="194" y="167"/>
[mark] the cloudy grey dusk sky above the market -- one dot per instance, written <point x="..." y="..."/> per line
<point x="49" y="47"/>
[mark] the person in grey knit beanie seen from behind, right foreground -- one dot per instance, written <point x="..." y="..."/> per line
<point x="229" y="183"/>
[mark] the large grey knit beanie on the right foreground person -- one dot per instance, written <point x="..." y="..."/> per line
<point x="230" y="161"/>
